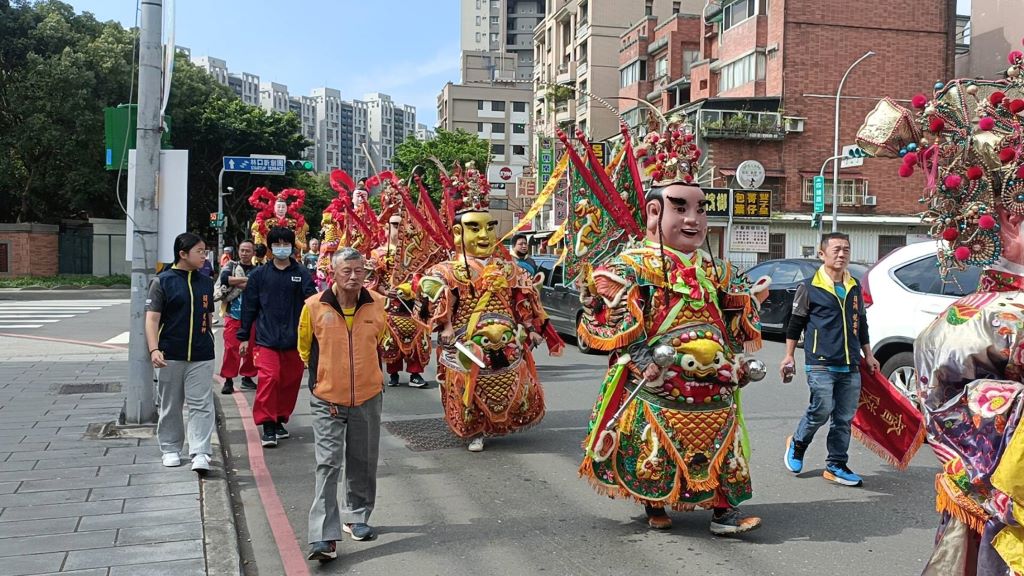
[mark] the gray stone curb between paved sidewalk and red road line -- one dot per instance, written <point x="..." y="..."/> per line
<point x="220" y="532"/>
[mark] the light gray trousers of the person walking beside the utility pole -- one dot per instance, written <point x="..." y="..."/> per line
<point x="180" y="383"/>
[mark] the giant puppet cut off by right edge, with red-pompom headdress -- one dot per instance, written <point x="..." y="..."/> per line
<point x="968" y="140"/>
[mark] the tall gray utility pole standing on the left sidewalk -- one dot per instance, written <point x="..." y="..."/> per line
<point x="140" y="407"/>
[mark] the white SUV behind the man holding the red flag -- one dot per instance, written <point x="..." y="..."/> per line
<point x="904" y="293"/>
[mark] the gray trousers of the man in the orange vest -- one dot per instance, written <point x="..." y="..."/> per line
<point x="345" y="439"/>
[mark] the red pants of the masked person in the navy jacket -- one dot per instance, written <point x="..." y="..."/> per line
<point x="280" y="378"/>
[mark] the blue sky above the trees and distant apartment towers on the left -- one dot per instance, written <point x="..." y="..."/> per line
<point x="406" y="49"/>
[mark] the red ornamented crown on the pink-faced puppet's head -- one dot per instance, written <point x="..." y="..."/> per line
<point x="670" y="156"/>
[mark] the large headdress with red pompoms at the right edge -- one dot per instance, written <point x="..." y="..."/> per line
<point x="967" y="139"/>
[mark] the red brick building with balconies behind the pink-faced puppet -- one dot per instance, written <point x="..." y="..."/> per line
<point x="762" y="87"/>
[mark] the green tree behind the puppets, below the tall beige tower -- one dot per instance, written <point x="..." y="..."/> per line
<point x="450" y="148"/>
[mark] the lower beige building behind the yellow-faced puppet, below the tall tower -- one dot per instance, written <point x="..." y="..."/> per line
<point x="499" y="114"/>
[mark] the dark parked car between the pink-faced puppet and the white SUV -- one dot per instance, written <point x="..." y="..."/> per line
<point x="786" y="276"/>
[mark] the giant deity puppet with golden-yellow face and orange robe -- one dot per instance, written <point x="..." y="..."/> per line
<point x="490" y="317"/>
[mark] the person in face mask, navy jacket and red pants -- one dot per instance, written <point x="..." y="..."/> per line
<point x="273" y="301"/>
